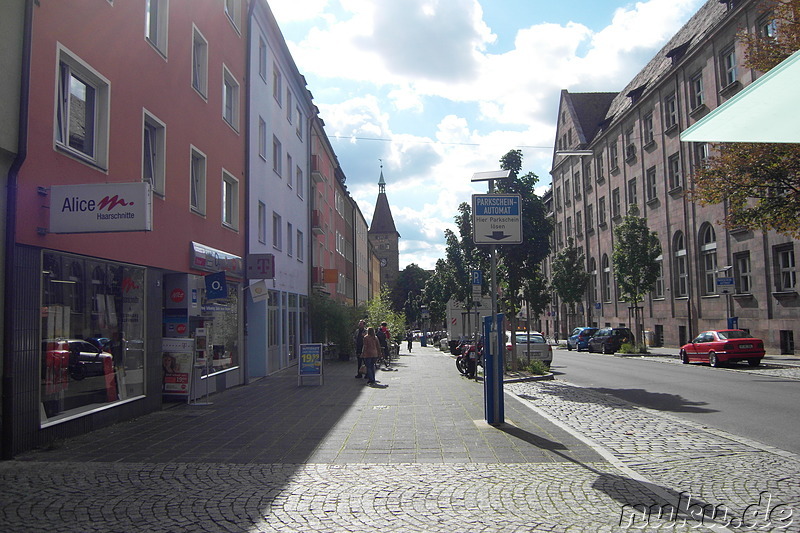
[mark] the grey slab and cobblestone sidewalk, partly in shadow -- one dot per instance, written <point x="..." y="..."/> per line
<point x="569" y="459"/>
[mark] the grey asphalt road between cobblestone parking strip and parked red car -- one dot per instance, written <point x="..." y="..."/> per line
<point x="756" y="406"/>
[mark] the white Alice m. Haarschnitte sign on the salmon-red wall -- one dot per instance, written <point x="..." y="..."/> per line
<point x="101" y="207"/>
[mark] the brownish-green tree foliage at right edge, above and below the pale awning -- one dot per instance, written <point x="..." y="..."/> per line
<point x="760" y="181"/>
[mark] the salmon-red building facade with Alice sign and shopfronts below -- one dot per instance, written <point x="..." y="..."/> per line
<point x="131" y="193"/>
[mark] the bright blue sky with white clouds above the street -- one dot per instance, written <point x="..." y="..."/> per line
<point x="431" y="91"/>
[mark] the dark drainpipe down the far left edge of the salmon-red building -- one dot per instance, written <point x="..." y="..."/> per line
<point x="11" y="236"/>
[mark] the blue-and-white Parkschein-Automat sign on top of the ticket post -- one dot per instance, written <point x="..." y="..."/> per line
<point x="497" y="218"/>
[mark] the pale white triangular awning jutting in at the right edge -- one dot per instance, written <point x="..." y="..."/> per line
<point x="767" y="110"/>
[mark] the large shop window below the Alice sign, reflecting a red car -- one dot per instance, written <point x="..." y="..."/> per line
<point x="92" y="354"/>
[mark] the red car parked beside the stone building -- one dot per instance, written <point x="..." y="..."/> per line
<point x="723" y="346"/>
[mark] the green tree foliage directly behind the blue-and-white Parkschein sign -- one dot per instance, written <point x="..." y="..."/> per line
<point x="517" y="264"/>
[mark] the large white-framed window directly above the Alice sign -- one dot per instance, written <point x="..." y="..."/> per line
<point x="83" y="109"/>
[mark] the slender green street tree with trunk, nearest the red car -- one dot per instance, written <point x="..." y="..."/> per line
<point x="635" y="260"/>
